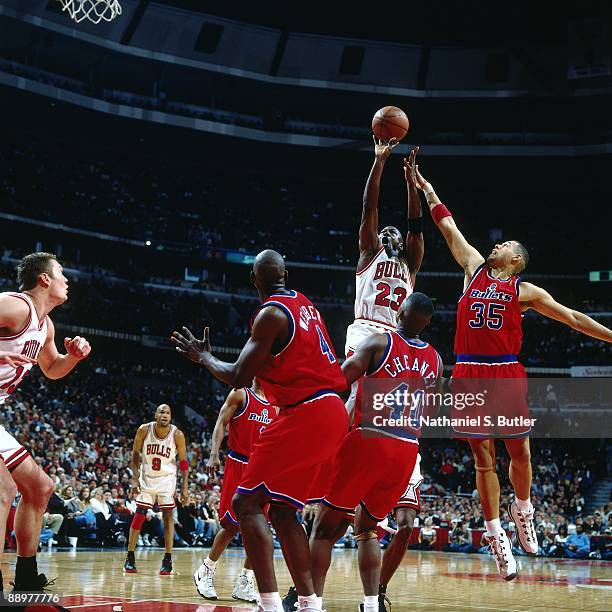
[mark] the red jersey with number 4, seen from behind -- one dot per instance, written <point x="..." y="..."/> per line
<point x="307" y="367"/>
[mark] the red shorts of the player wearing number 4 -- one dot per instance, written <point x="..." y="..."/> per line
<point x="286" y="459"/>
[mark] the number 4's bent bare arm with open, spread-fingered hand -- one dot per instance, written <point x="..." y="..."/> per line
<point x="270" y="331"/>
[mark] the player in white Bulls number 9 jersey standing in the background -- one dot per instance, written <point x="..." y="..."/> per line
<point x="154" y="480"/>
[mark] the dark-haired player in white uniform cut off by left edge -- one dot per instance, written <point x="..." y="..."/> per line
<point x="27" y="337"/>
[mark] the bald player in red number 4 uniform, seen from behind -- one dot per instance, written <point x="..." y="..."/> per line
<point x="291" y="355"/>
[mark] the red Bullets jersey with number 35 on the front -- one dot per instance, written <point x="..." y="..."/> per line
<point x="489" y="318"/>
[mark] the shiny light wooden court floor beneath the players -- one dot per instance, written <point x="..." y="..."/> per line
<point x="94" y="581"/>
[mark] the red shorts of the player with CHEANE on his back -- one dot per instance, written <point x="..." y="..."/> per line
<point x="371" y="471"/>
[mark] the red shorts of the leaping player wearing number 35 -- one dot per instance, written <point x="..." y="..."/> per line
<point x="504" y="413"/>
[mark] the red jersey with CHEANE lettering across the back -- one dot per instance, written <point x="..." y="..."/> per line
<point x="415" y="366"/>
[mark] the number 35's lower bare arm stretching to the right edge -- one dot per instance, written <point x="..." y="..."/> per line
<point x="532" y="296"/>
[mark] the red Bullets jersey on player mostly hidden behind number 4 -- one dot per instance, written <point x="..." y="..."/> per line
<point x="248" y="423"/>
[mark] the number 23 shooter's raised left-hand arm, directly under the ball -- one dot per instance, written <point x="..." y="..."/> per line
<point x="369" y="241"/>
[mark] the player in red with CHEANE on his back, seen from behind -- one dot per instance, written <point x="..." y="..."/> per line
<point x="373" y="466"/>
